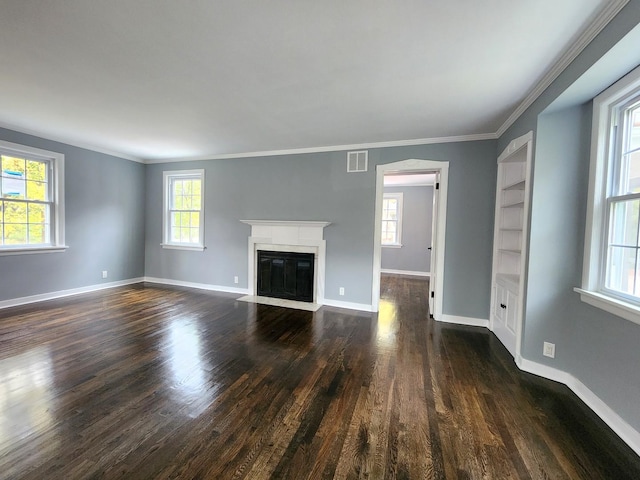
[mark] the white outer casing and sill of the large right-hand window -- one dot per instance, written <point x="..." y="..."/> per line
<point x="591" y="290"/>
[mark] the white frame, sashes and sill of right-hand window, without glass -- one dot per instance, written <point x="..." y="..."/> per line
<point x="605" y="155"/>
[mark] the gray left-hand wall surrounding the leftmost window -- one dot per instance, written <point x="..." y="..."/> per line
<point x="104" y="208"/>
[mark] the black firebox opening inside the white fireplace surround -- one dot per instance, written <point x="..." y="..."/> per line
<point x="285" y="275"/>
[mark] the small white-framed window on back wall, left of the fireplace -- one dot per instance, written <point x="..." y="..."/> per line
<point x="184" y="210"/>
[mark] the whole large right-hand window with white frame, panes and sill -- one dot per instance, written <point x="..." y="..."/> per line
<point x="611" y="274"/>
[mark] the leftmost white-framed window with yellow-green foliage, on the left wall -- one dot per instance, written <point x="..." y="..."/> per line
<point x="31" y="200"/>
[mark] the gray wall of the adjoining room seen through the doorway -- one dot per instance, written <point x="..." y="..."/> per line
<point x="417" y="213"/>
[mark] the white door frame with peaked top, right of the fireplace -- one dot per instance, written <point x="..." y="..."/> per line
<point x="413" y="166"/>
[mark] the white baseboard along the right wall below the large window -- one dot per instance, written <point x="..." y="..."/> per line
<point x="625" y="431"/>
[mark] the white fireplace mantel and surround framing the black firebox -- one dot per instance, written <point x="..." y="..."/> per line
<point x="288" y="236"/>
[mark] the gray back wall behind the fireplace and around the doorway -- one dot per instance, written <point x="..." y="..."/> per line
<point x="317" y="187"/>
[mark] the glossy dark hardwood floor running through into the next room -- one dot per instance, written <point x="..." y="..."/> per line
<point x="149" y="382"/>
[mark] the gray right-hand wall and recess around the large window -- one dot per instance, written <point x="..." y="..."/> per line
<point x="599" y="349"/>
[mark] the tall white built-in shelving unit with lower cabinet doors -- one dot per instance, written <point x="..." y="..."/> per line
<point x="510" y="240"/>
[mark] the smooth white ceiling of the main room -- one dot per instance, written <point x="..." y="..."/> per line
<point x="167" y="79"/>
